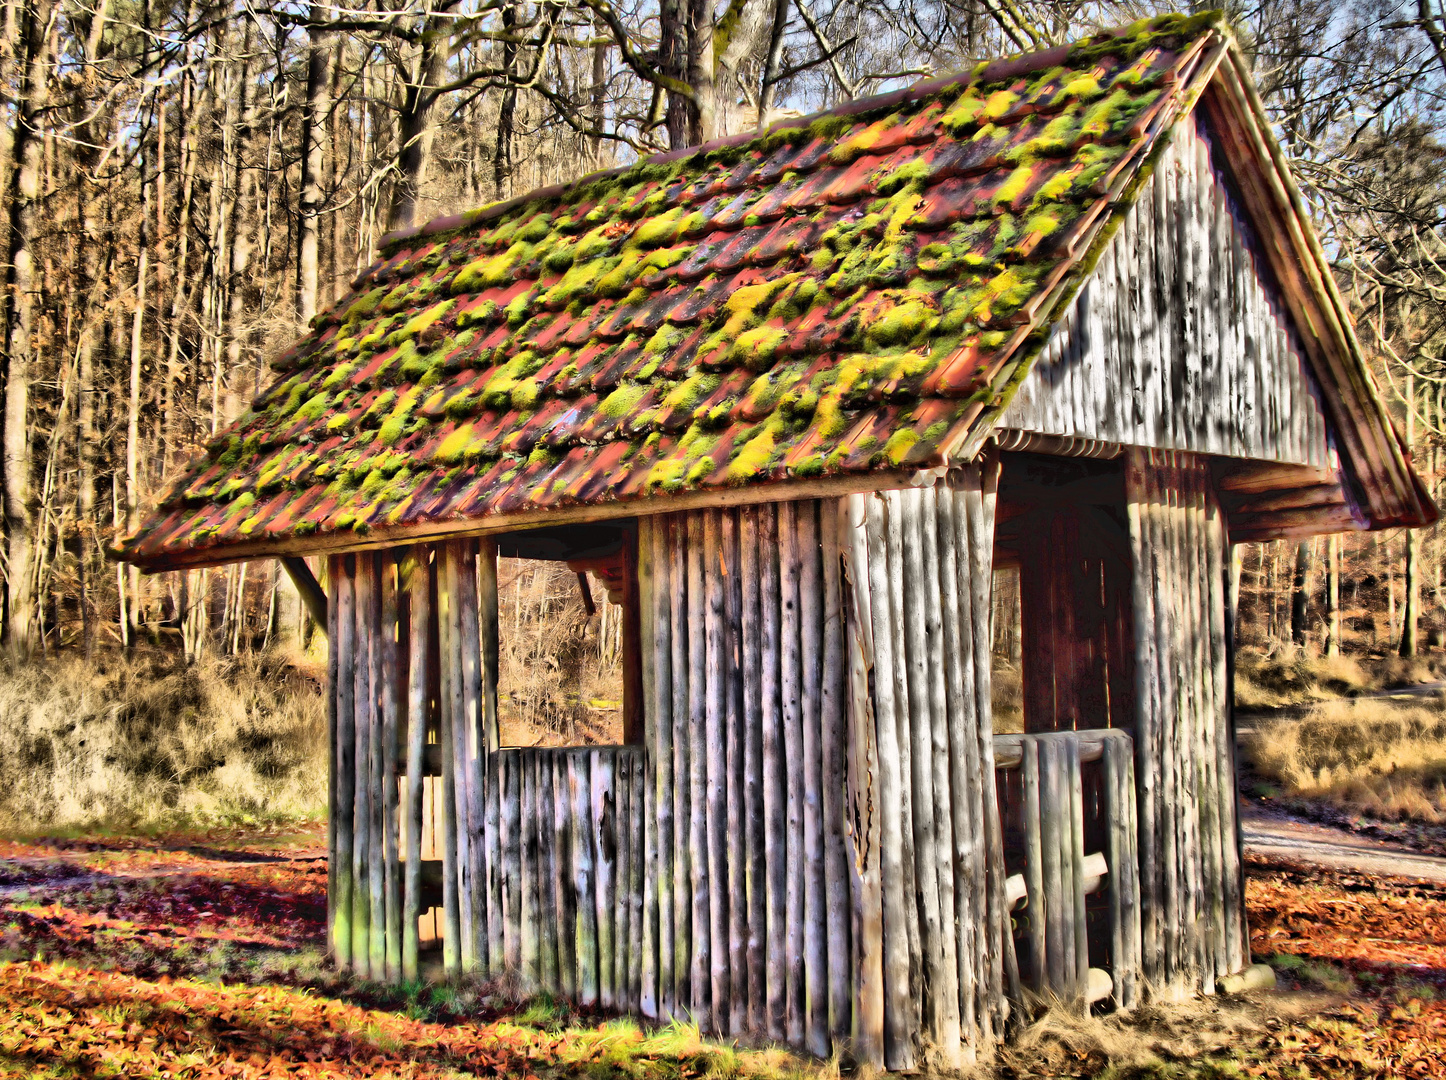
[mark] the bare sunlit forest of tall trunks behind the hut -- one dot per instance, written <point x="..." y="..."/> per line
<point x="187" y="183"/>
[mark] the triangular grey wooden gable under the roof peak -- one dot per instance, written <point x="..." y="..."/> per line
<point x="1181" y="339"/>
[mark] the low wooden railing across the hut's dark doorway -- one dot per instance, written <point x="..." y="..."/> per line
<point x="1068" y="805"/>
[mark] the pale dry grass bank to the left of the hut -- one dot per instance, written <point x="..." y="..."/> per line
<point x="150" y="742"/>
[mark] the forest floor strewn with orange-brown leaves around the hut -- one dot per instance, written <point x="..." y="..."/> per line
<point x="202" y="956"/>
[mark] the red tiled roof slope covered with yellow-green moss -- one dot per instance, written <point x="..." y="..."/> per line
<point x="841" y="294"/>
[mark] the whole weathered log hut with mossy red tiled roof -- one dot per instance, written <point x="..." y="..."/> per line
<point x="800" y="394"/>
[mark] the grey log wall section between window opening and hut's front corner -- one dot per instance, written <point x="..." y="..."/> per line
<point x="747" y="890"/>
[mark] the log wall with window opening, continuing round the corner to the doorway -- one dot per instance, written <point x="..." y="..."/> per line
<point x="805" y="847"/>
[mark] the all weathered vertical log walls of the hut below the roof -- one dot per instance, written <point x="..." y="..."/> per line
<point x="808" y="842"/>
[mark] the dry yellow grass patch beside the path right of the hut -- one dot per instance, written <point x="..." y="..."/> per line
<point x="1370" y="757"/>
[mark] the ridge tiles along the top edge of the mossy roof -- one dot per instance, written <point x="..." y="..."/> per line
<point x="1013" y="67"/>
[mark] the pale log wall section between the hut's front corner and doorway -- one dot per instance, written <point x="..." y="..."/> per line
<point x="933" y="951"/>
